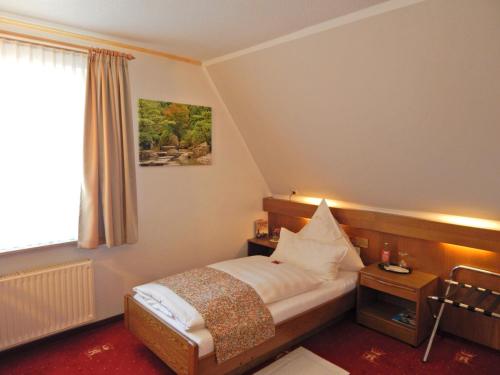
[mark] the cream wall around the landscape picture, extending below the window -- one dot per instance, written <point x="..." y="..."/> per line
<point x="188" y="216"/>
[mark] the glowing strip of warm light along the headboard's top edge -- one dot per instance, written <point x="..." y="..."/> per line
<point x="441" y="218"/>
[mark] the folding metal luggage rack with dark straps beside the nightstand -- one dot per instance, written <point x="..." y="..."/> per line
<point x="485" y="301"/>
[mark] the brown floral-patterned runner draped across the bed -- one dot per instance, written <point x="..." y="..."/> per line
<point x="233" y="311"/>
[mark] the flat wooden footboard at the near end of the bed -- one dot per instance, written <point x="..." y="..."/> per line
<point x="176" y="350"/>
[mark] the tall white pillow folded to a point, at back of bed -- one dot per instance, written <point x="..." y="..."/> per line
<point x="324" y="228"/>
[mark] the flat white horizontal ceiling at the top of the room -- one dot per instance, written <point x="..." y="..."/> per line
<point x="199" y="29"/>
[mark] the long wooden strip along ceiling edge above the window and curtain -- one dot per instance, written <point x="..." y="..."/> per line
<point x="89" y="38"/>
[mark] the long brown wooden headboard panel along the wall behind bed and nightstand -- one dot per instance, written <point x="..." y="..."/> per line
<point x="431" y="246"/>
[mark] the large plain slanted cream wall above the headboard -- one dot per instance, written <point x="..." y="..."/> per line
<point x="400" y="110"/>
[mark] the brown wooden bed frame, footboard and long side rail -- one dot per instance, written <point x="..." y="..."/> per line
<point x="181" y="354"/>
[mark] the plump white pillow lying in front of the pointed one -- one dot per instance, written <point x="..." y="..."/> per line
<point x="320" y="258"/>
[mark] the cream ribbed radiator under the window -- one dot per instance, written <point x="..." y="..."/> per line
<point x="38" y="303"/>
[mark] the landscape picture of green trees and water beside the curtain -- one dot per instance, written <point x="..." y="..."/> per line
<point x="174" y="134"/>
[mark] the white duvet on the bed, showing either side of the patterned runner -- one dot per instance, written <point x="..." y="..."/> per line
<point x="272" y="282"/>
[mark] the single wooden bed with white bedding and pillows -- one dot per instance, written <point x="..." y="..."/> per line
<point x="192" y="350"/>
